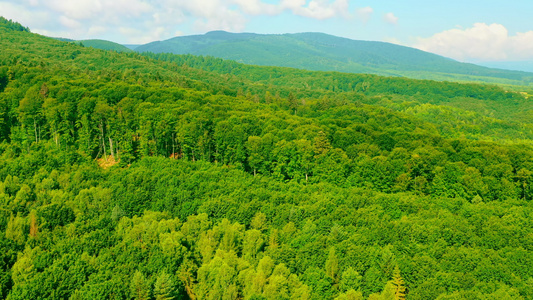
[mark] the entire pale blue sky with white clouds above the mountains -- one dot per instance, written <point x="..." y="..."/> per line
<point x="477" y="31"/>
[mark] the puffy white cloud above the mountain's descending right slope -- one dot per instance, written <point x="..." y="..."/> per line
<point x="481" y="42"/>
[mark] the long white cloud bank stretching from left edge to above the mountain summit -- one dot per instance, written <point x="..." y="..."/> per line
<point x="142" y="21"/>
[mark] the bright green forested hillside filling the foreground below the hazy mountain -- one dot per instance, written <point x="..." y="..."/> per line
<point x="129" y="176"/>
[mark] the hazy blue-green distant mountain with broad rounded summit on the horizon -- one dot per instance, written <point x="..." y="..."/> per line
<point x="322" y="52"/>
